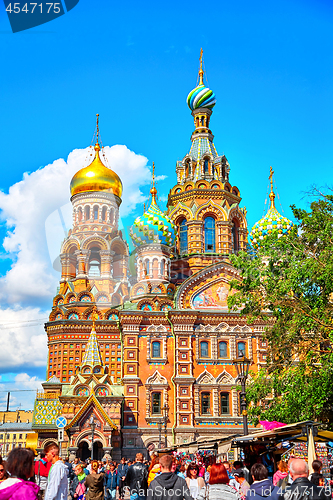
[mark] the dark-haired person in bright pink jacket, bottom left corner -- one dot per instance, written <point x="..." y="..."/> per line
<point x="20" y="465"/>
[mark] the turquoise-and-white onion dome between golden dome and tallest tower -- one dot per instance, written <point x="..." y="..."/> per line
<point x="153" y="226"/>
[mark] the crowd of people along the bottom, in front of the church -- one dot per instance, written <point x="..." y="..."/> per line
<point x="22" y="477"/>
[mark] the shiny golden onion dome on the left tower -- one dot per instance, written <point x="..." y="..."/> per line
<point x="96" y="177"/>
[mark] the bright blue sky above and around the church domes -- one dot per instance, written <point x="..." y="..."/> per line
<point x="269" y="64"/>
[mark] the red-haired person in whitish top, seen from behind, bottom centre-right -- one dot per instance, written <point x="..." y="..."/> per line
<point x="218" y="487"/>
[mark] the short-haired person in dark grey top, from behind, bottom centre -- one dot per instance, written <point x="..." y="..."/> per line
<point x="168" y="485"/>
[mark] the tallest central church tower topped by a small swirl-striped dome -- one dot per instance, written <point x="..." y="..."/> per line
<point x="203" y="205"/>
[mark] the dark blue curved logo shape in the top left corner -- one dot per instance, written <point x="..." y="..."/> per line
<point x="25" y="15"/>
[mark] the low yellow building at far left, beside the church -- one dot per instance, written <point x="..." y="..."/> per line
<point x="16" y="434"/>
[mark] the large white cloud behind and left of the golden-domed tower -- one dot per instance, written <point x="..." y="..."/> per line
<point x="27" y="288"/>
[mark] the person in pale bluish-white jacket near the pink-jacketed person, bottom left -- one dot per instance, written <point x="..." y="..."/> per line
<point x="57" y="486"/>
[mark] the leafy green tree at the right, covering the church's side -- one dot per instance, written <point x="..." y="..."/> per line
<point x="288" y="282"/>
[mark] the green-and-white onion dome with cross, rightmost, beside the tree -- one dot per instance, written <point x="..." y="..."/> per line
<point x="273" y="223"/>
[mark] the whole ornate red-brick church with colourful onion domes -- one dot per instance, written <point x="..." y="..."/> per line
<point x="134" y="339"/>
